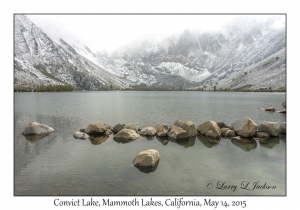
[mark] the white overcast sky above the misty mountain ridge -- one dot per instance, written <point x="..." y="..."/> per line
<point x="107" y="32"/>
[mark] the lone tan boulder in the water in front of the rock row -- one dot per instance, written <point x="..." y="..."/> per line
<point x="147" y="158"/>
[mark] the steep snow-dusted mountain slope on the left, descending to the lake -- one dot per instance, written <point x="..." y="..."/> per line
<point x="40" y="61"/>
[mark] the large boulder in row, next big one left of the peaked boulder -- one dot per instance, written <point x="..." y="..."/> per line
<point x="210" y="129"/>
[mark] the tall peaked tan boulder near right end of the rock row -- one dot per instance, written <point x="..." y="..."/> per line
<point x="244" y="127"/>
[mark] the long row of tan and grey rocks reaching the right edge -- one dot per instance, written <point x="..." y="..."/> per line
<point x="123" y="133"/>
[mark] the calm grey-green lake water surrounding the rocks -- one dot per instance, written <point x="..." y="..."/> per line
<point x="61" y="165"/>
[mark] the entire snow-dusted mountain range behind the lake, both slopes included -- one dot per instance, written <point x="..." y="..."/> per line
<point x="246" y="54"/>
